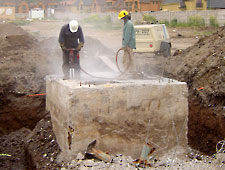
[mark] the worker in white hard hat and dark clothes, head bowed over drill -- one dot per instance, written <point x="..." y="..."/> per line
<point x="71" y="39"/>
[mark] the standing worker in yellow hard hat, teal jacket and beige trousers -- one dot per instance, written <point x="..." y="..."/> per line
<point x="128" y="40"/>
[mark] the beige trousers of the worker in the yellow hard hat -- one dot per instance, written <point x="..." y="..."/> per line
<point x="129" y="60"/>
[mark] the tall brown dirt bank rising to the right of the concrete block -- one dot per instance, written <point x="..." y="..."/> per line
<point x="202" y="66"/>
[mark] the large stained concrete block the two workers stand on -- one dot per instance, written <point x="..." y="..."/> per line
<point x="117" y="114"/>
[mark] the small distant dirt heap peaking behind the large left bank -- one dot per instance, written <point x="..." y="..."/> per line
<point x="10" y="29"/>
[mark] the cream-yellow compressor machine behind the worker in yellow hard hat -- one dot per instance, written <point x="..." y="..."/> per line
<point x="153" y="38"/>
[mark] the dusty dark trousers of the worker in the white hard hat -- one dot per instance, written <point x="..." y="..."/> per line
<point x="71" y="60"/>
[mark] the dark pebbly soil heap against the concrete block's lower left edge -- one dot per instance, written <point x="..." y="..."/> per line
<point x="41" y="147"/>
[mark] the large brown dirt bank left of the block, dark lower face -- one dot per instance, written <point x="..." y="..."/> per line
<point x="22" y="72"/>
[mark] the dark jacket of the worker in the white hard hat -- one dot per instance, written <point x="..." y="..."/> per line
<point x="69" y="39"/>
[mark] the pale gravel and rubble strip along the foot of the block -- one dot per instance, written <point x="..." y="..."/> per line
<point x="174" y="160"/>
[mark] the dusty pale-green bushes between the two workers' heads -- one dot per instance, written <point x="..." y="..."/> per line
<point x="101" y="22"/>
